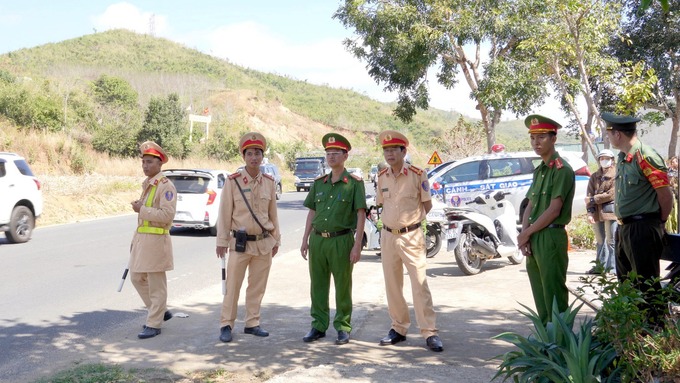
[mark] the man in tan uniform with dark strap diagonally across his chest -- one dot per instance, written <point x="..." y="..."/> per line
<point x="262" y="236"/>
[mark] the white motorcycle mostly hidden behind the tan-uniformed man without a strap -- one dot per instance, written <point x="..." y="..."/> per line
<point x="433" y="231"/>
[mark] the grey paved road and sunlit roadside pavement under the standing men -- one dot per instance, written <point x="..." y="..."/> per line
<point x="59" y="307"/>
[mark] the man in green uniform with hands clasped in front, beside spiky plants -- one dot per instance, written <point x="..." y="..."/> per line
<point x="543" y="239"/>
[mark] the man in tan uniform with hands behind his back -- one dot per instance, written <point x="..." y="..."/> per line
<point x="404" y="193"/>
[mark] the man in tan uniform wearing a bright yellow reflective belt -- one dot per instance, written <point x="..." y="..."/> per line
<point x="151" y="249"/>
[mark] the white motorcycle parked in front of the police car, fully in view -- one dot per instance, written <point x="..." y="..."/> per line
<point x="484" y="229"/>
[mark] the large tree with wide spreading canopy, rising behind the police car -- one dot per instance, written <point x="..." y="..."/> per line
<point x="402" y="39"/>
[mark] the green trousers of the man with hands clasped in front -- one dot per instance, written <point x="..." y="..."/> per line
<point x="547" y="270"/>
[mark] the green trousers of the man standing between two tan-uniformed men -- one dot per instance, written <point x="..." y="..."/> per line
<point x="330" y="256"/>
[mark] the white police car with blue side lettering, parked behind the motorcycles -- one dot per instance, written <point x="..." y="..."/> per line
<point x="462" y="180"/>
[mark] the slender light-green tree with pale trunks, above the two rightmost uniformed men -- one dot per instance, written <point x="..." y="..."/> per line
<point x="568" y="42"/>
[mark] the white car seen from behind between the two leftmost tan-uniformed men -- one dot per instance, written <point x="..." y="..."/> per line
<point x="198" y="197"/>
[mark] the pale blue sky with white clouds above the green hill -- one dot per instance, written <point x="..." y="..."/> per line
<point x="298" y="38"/>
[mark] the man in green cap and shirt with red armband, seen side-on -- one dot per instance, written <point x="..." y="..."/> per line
<point x="643" y="202"/>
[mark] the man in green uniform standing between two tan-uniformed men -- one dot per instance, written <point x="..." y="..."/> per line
<point x="333" y="234"/>
